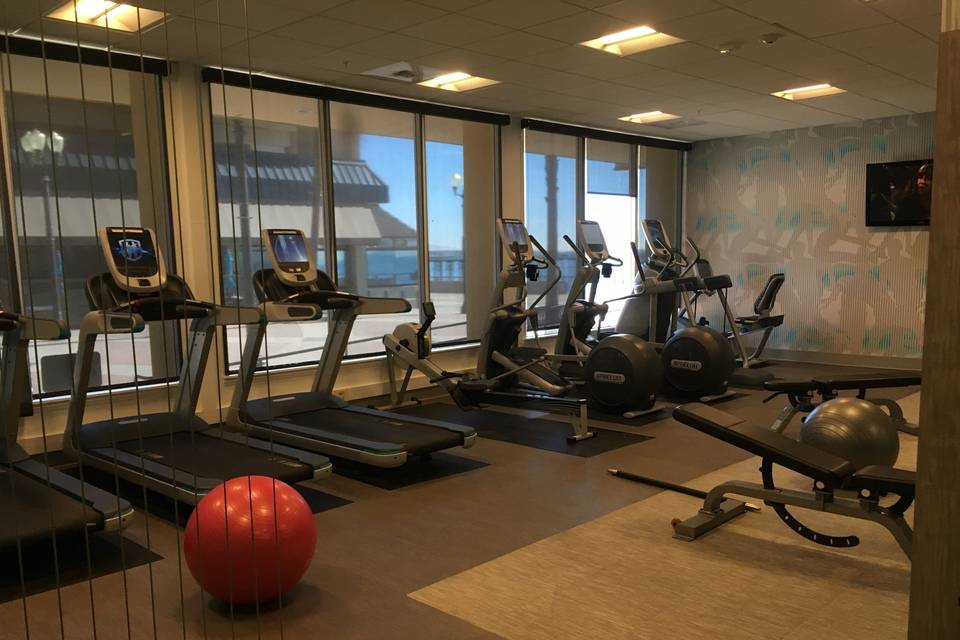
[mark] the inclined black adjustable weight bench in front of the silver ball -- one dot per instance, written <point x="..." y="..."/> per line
<point x="828" y="473"/>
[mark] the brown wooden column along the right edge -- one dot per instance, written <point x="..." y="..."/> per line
<point x="935" y="584"/>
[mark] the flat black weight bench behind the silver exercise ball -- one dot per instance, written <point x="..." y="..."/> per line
<point x="806" y="395"/>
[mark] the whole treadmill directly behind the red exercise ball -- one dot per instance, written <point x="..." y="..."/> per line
<point x="175" y="453"/>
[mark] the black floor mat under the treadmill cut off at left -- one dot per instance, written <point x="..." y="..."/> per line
<point x="40" y="574"/>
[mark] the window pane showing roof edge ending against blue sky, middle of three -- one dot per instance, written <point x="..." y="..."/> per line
<point x="375" y="214"/>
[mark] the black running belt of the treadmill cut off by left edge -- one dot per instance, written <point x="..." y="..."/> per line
<point x="32" y="510"/>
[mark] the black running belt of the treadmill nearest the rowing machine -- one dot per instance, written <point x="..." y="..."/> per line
<point x="414" y="438"/>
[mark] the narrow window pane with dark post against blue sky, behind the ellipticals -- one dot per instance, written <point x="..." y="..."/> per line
<point x="551" y="206"/>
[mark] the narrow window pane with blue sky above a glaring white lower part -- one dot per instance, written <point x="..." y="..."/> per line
<point x="610" y="201"/>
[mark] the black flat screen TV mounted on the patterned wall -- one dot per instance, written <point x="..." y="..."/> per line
<point x="898" y="193"/>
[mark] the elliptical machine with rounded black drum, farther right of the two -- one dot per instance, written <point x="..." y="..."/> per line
<point x="698" y="362"/>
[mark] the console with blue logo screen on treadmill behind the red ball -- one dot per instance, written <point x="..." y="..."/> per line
<point x="133" y="258"/>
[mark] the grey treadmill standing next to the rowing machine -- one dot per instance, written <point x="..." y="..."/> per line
<point x="317" y="420"/>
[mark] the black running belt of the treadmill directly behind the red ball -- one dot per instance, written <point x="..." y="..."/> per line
<point x="210" y="457"/>
